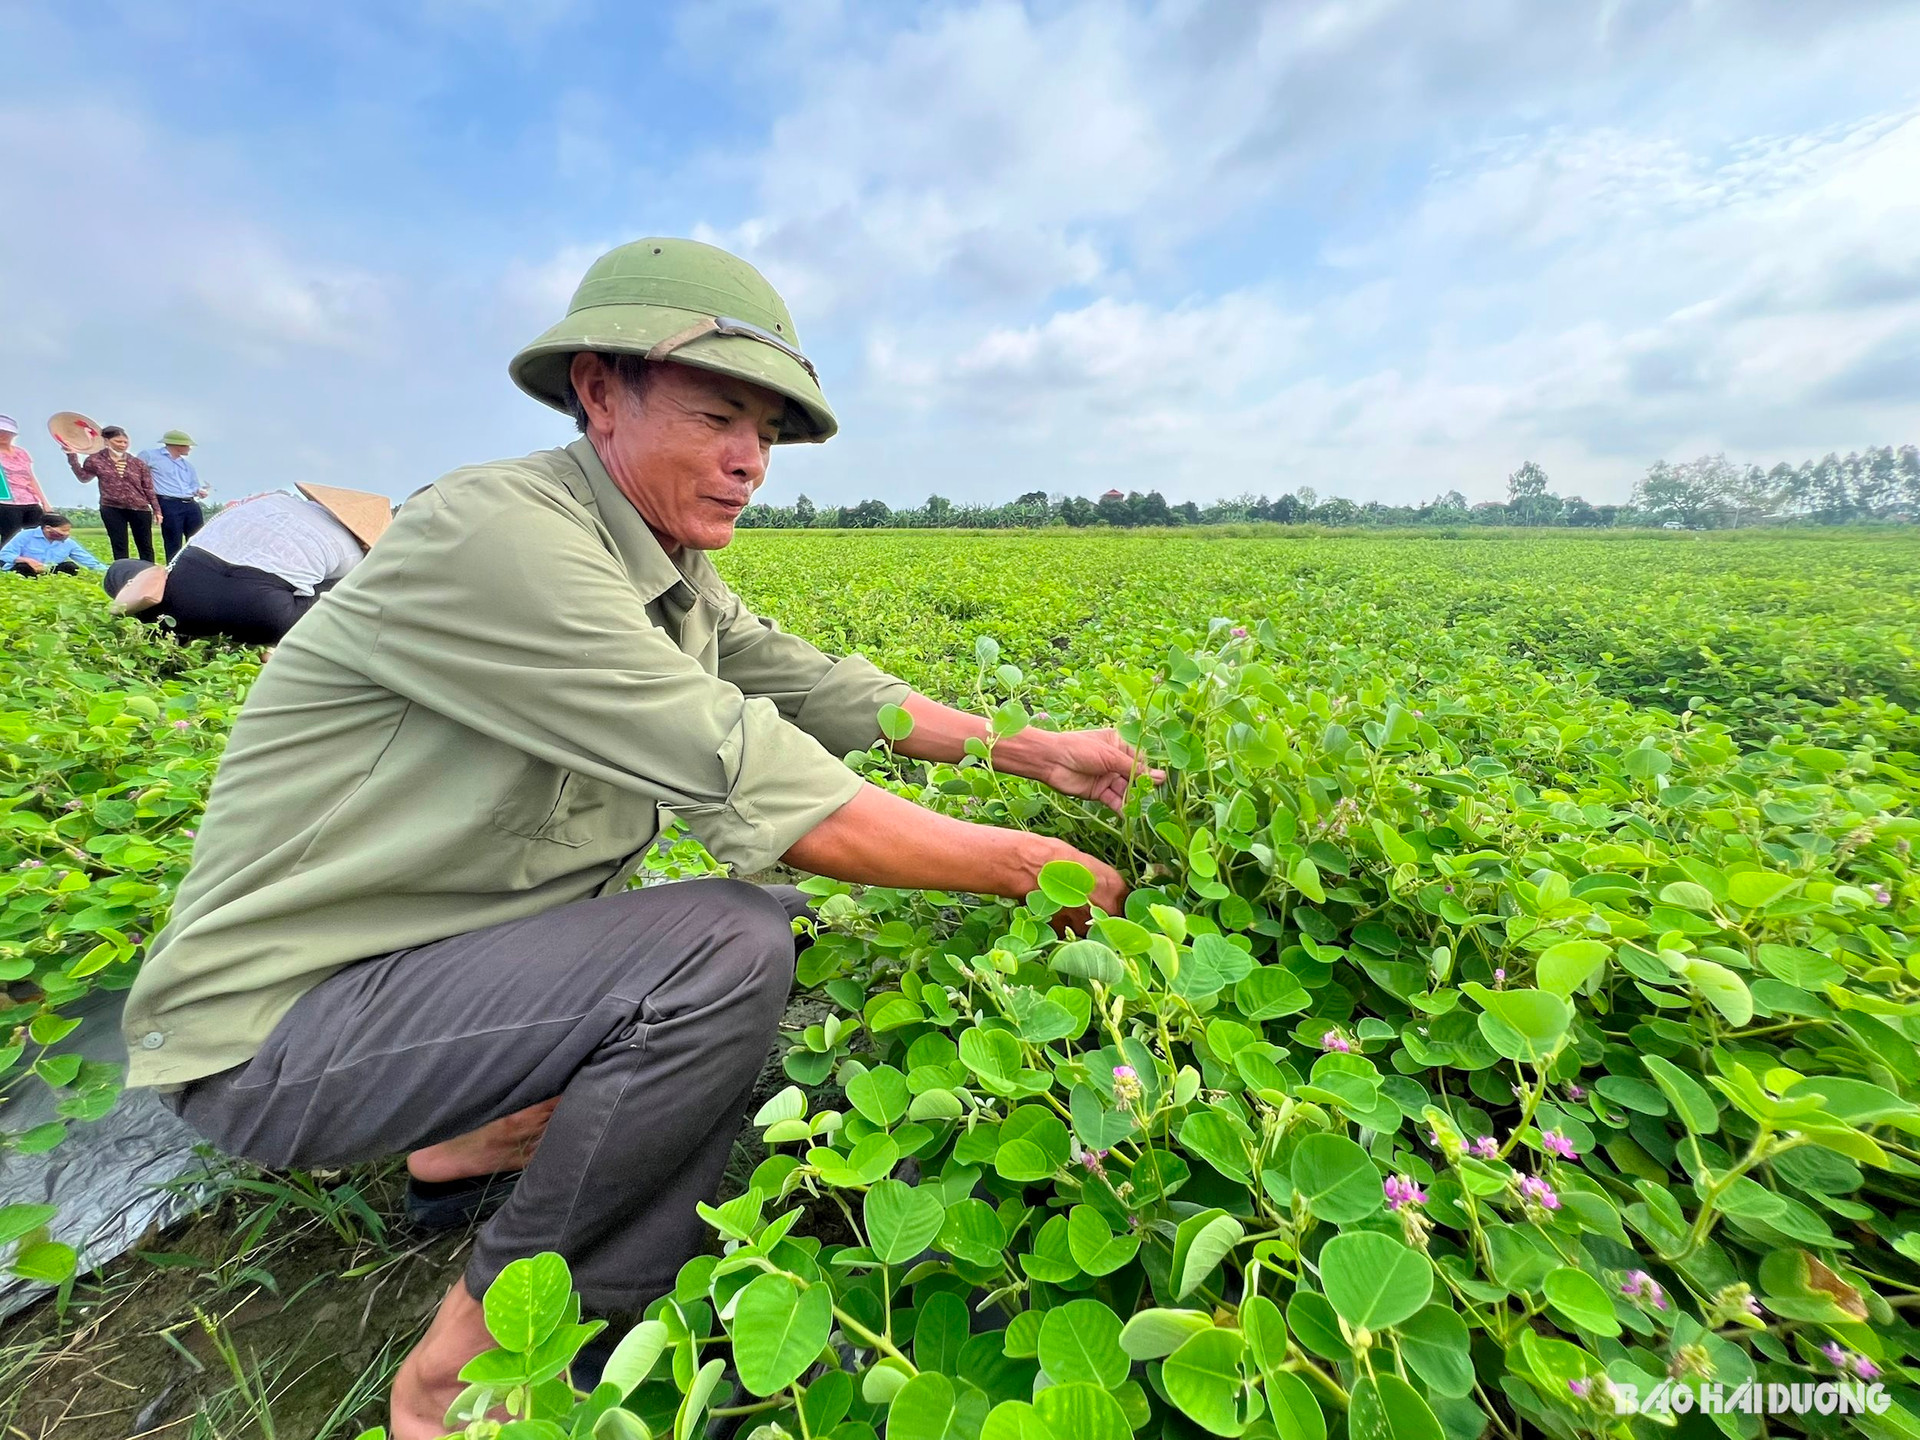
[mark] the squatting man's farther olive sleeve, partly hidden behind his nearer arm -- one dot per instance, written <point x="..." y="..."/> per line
<point x="832" y="700"/>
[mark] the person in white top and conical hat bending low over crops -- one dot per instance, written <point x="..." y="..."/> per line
<point x="256" y="567"/>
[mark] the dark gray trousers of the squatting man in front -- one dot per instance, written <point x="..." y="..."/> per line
<point x="648" y="1013"/>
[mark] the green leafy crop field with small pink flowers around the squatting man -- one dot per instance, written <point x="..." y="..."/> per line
<point x="1516" y="1011"/>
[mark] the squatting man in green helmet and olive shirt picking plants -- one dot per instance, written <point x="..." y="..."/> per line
<point x="408" y="924"/>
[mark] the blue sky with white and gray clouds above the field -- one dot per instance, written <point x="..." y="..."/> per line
<point x="1381" y="249"/>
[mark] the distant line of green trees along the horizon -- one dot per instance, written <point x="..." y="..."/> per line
<point x="1706" y="494"/>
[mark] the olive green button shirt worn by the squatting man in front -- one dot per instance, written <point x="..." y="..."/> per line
<point x="487" y="719"/>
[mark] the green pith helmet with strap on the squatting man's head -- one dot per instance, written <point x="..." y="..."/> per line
<point x="686" y="302"/>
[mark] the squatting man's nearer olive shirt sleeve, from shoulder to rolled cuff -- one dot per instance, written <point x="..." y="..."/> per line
<point x="533" y="635"/>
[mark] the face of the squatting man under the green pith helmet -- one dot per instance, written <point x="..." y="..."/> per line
<point x="688" y="452"/>
